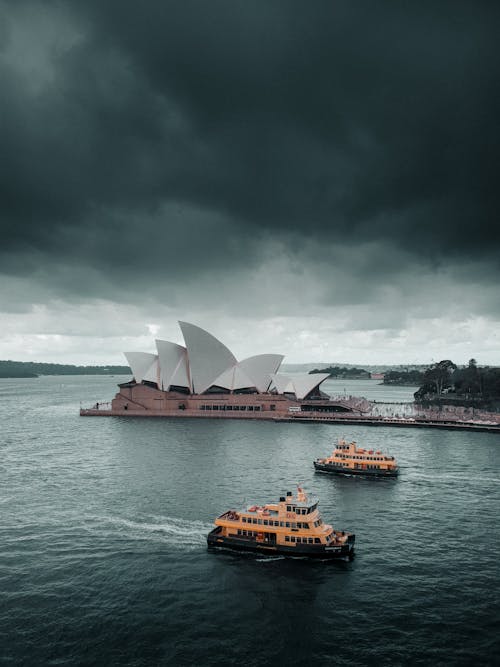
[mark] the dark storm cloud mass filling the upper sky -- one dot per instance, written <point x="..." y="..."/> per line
<point x="175" y="138"/>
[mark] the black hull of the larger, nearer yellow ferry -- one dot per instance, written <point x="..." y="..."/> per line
<point x="344" y="552"/>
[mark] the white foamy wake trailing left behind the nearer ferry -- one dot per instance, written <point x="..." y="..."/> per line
<point x="177" y="533"/>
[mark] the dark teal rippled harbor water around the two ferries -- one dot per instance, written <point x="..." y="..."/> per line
<point x="103" y="525"/>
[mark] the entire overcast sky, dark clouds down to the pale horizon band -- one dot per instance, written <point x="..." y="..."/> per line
<point x="314" y="179"/>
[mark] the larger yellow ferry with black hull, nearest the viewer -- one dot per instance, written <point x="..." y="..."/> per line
<point x="291" y="527"/>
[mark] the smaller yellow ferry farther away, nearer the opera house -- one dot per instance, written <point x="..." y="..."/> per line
<point x="347" y="459"/>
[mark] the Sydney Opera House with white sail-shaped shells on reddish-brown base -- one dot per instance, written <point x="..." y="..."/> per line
<point x="204" y="379"/>
